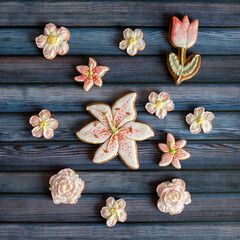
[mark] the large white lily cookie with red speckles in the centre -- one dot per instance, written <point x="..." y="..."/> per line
<point x="116" y="130"/>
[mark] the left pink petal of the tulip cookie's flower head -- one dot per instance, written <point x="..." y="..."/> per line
<point x="178" y="33"/>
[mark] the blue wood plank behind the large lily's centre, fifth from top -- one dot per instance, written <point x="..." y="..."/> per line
<point x="15" y="127"/>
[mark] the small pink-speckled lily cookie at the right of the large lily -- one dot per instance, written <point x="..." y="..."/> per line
<point x="173" y="152"/>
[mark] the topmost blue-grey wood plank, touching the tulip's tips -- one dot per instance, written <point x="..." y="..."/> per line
<point x="127" y="14"/>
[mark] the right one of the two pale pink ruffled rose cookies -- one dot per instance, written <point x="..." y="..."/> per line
<point x="172" y="196"/>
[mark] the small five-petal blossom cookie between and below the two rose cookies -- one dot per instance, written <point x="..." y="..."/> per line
<point x="114" y="211"/>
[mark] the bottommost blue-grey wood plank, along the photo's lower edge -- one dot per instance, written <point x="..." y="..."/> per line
<point x="140" y="231"/>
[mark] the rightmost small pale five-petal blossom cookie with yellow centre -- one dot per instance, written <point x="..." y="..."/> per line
<point x="200" y="120"/>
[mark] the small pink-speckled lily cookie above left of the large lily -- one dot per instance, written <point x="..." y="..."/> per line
<point x="91" y="74"/>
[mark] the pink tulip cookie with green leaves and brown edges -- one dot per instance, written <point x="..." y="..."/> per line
<point x="183" y="35"/>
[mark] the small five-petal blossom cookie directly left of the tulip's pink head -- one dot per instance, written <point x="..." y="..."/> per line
<point x="132" y="41"/>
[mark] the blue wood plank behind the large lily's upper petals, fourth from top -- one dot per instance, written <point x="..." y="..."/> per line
<point x="30" y="98"/>
